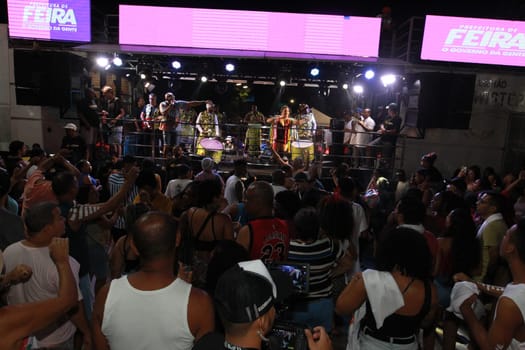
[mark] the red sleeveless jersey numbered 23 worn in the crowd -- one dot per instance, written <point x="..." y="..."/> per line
<point x="269" y="239"/>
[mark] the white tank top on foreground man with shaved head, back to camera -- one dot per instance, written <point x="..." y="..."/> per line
<point x="144" y="320"/>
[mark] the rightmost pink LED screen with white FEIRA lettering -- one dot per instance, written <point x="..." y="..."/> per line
<point x="474" y="40"/>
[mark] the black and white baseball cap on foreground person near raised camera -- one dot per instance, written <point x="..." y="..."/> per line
<point x="248" y="290"/>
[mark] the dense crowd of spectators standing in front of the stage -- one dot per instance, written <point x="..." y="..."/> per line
<point x="137" y="258"/>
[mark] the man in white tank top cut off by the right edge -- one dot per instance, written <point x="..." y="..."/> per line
<point x="508" y="327"/>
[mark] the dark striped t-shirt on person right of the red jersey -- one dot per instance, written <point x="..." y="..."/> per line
<point x="322" y="256"/>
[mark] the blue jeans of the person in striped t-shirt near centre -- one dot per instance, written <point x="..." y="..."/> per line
<point x="316" y="312"/>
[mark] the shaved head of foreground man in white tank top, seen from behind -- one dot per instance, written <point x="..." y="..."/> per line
<point x="155" y="236"/>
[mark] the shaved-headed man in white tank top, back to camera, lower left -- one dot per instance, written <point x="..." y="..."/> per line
<point x="152" y="308"/>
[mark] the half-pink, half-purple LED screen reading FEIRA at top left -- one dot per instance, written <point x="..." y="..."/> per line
<point x="61" y="20"/>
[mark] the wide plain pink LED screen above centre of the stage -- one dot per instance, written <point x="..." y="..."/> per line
<point x="249" y="30"/>
